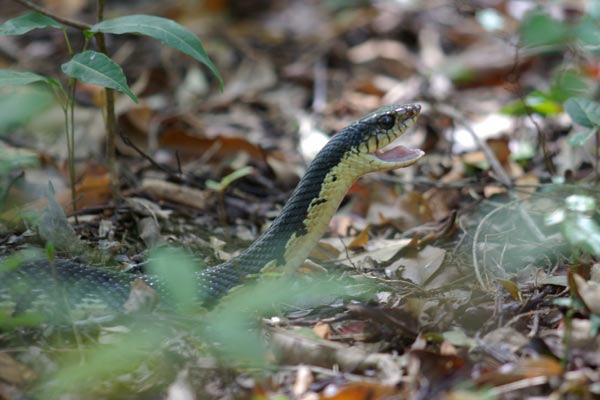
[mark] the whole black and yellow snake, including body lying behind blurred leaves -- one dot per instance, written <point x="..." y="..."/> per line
<point x="367" y="145"/>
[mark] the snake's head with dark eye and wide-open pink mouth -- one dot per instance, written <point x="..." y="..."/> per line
<point x="372" y="137"/>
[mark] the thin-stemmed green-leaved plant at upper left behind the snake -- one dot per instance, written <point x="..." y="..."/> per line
<point x="95" y="67"/>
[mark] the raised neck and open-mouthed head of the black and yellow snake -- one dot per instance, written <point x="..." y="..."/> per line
<point x="350" y="154"/>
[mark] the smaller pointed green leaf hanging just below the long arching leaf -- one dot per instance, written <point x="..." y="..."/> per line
<point x="97" y="69"/>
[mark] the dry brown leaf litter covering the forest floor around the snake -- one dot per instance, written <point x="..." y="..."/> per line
<point x="451" y="282"/>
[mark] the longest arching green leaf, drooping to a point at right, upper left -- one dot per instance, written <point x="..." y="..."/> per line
<point x="164" y="30"/>
